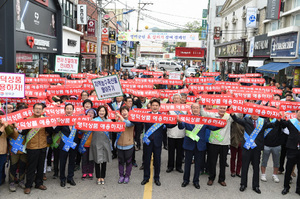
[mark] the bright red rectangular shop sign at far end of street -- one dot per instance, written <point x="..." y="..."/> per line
<point x="184" y="52"/>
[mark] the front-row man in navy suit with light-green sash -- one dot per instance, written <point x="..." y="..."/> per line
<point x="194" y="147"/>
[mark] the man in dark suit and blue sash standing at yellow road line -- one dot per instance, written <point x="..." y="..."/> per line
<point x="154" y="146"/>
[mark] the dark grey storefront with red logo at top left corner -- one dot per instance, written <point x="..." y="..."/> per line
<point x="29" y="45"/>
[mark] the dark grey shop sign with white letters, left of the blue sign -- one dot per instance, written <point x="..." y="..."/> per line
<point x="262" y="45"/>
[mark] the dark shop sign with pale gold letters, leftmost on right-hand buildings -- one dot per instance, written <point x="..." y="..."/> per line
<point x="236" y="49"/>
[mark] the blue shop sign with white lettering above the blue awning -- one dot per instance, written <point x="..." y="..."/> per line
<point x="284" y="45"/>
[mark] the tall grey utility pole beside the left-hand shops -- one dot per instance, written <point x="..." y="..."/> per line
<point x="99" y="38"/>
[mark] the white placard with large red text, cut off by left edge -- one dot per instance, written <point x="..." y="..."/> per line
<point x="12" y="85"/>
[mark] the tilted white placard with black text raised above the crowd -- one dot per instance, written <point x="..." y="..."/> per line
<point x="107" y="87"/>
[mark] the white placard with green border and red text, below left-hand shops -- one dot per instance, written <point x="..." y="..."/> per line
<point x="65" y="64"/>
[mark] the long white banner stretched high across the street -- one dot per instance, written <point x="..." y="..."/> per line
<point x="158" y="36"/>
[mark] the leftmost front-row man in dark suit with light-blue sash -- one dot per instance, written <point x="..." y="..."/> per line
<point x="63" y="154"/>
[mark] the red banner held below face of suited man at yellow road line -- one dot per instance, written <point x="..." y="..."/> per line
<point x="152" y="118"/>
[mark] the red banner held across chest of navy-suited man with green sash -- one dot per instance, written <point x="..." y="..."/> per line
<point x="191" y="119"/>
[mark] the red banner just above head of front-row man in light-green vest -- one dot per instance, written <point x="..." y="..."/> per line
<point x="221" y="101"/>
